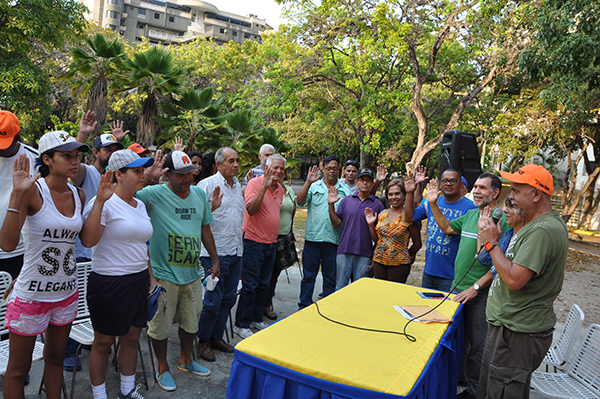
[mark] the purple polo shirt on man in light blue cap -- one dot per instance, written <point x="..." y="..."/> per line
<point x="356" y="238"/>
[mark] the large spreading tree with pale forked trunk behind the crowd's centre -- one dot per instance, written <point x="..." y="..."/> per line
<point x="381" y="62"/>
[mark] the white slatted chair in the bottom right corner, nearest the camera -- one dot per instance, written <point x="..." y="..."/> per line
<point x="582" y="379"/>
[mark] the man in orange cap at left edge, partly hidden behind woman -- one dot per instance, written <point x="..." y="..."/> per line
<point x="10" y="149"/>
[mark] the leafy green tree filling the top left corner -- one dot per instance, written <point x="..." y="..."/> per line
<point x="29" y="30"/>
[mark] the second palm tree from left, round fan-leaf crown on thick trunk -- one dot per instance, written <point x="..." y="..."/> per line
<point x="153" y="74"/>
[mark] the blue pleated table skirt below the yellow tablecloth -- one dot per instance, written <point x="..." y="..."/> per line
<point x="254" y="378"/>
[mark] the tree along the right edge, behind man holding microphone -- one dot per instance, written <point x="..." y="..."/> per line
<point x="564" y="57"/>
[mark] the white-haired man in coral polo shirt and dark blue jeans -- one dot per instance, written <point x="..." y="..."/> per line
<point x="263" y="197"/>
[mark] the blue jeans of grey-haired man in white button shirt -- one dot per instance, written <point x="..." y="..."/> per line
<point x="218" y="302"/>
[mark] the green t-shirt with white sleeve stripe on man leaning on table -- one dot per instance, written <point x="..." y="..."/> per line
<point x="466" y="226"/>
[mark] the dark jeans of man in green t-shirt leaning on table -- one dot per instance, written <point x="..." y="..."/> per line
<point x="475" y="332"/>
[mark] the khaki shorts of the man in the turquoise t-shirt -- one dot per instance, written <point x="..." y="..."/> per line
<point x="184" y="305"/>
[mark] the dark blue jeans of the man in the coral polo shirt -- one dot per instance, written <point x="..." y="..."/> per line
<point x="257" y="266"/>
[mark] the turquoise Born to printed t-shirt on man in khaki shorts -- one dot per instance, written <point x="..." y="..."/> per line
<point x="176" y="242"/>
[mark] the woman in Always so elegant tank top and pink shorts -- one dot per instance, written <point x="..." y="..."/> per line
<point x="44" y="298"/>
